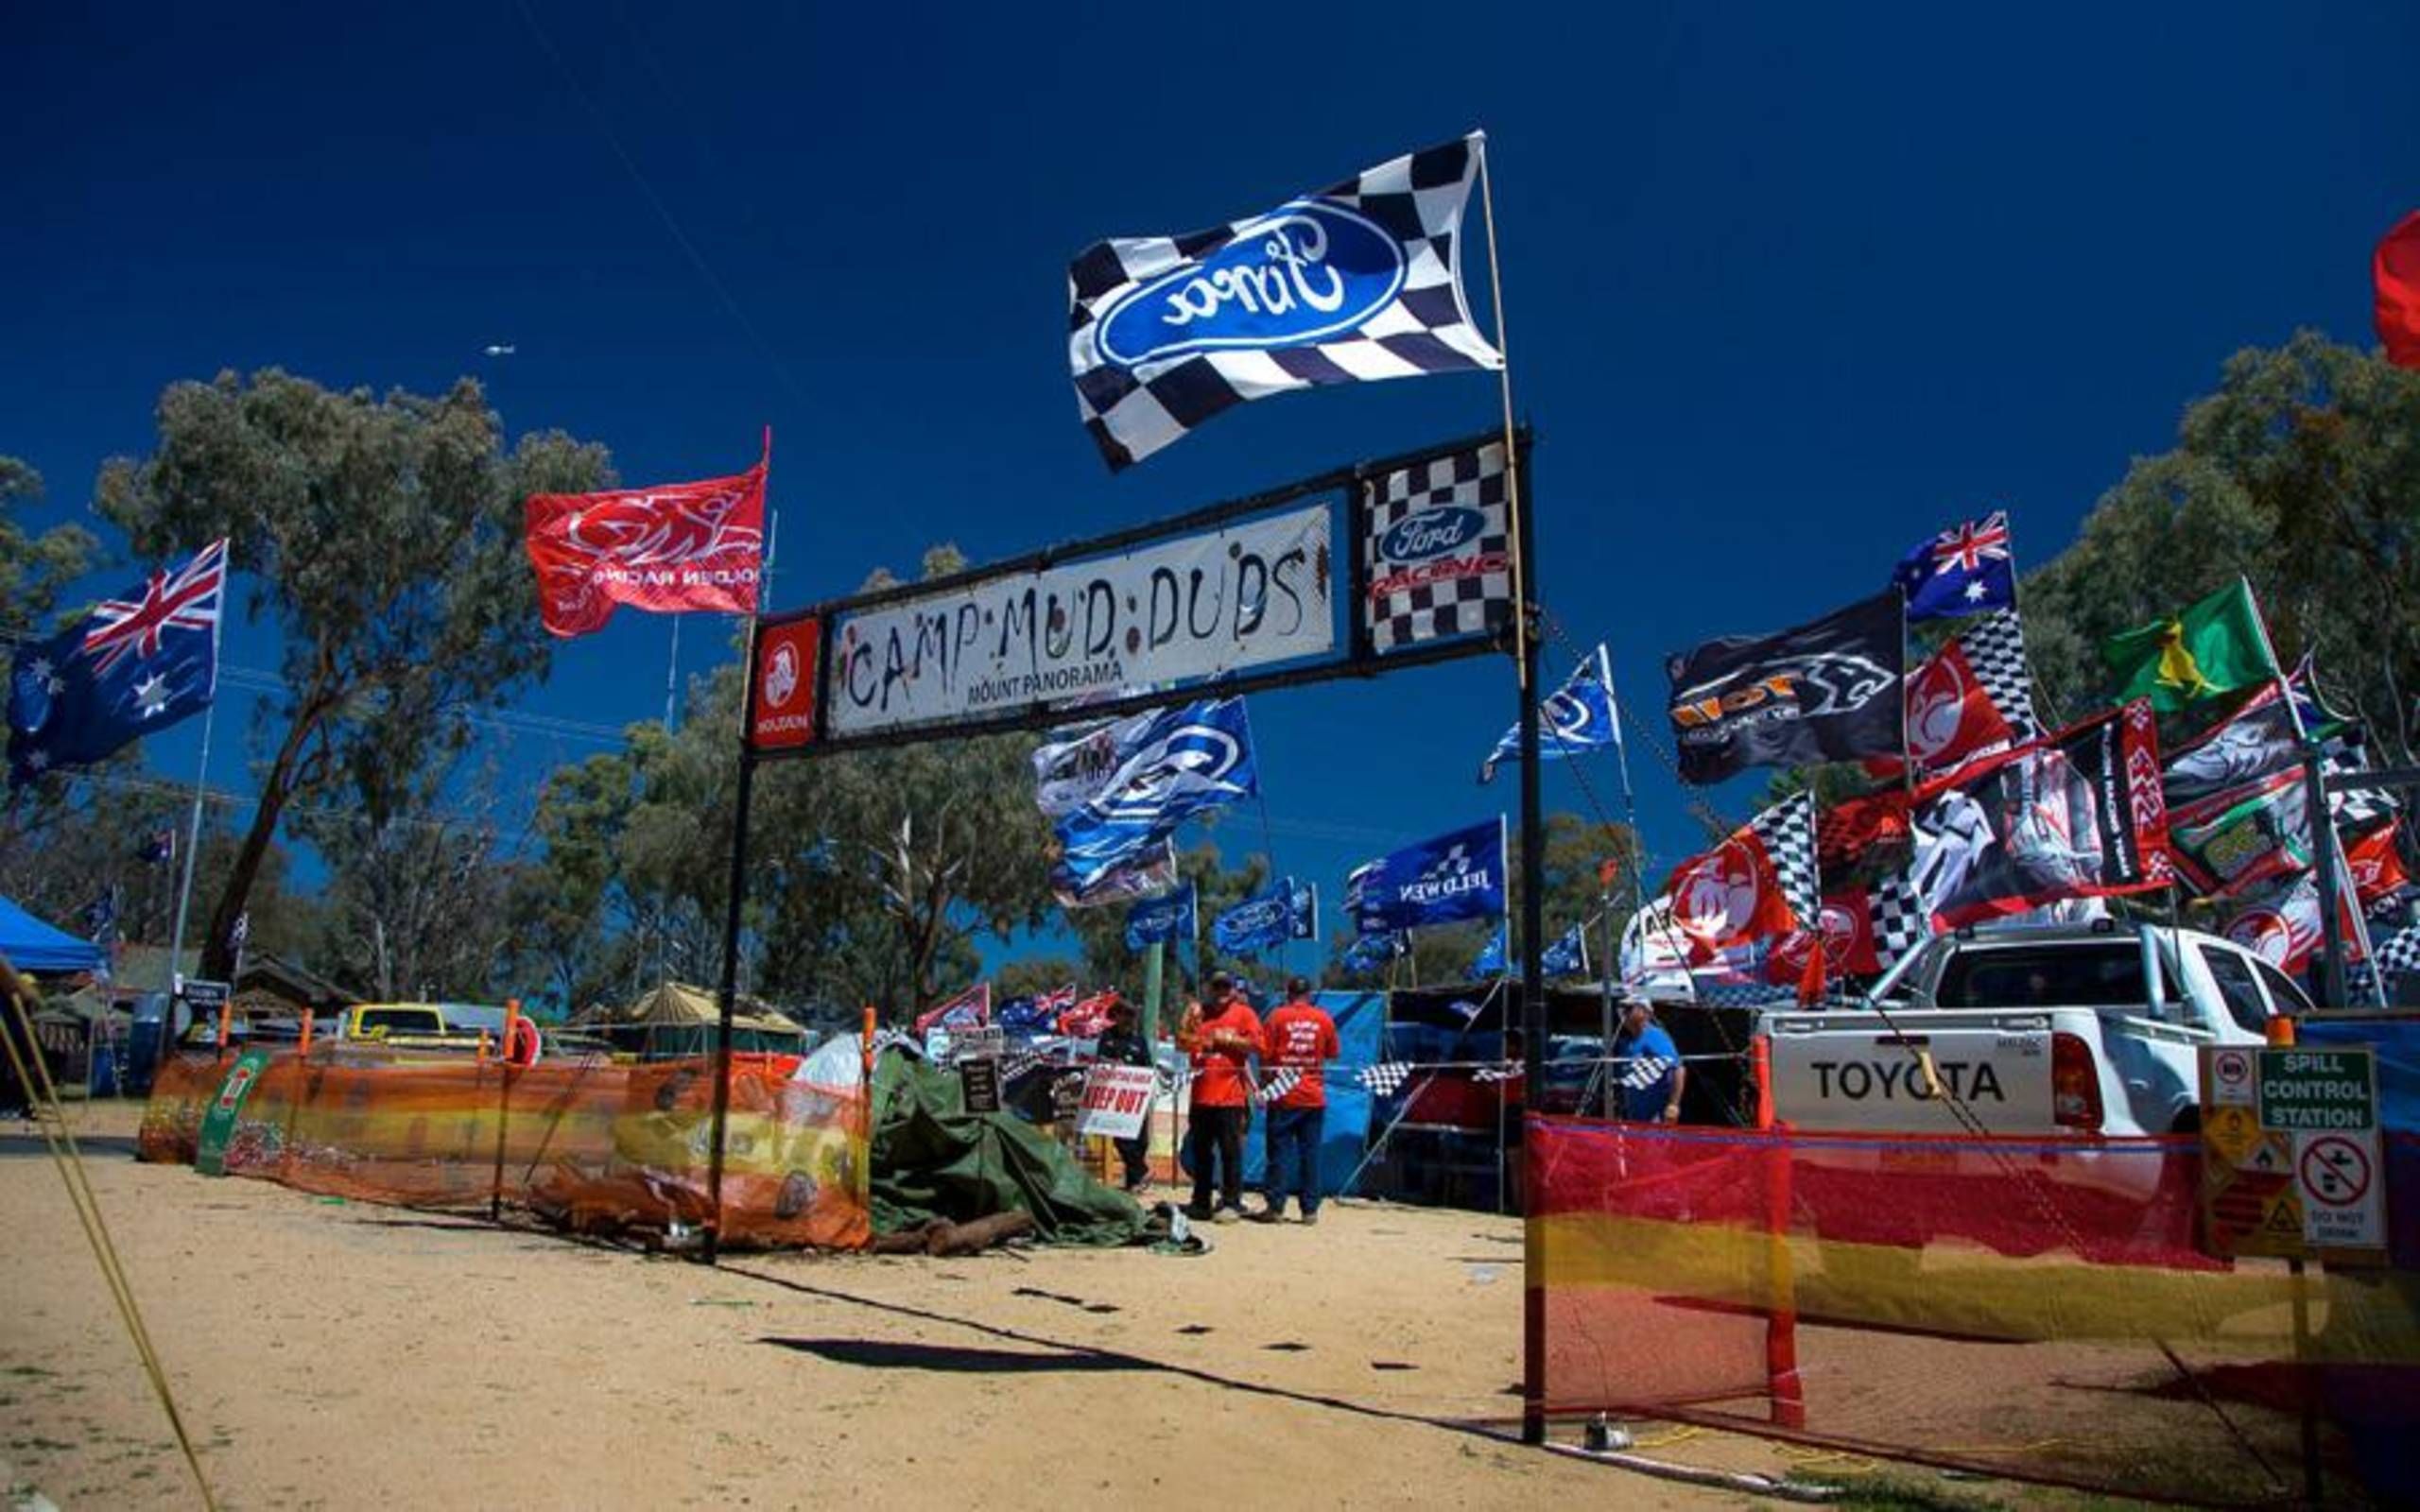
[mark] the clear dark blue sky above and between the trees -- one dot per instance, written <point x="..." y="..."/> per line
<point x="1790" y="287"/>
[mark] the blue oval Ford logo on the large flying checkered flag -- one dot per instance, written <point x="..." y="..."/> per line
<point x="1298" y="275"/>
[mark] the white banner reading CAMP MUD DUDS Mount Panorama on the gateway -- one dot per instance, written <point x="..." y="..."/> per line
<point x="1165" y="613"/>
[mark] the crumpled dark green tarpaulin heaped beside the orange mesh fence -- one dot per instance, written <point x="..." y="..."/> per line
<point x="938" y="1162"/>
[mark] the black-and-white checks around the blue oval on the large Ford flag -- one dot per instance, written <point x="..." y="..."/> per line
<point x="1427" y="328"/>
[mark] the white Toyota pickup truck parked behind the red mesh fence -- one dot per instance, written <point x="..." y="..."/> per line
<point x="2078" y="1029"/>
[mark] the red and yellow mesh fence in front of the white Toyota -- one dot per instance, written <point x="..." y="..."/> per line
<point x="2005" y="1305"/>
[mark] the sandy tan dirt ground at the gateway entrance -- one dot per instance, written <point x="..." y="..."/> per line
<point x="338" y="1356"/>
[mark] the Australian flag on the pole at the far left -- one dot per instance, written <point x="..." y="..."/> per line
<point x="134" y="666"/>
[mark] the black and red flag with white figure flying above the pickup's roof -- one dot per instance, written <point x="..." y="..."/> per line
<point x="2070" y="816"/>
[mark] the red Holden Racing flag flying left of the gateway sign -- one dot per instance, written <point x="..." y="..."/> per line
<point x="667" y="550"/>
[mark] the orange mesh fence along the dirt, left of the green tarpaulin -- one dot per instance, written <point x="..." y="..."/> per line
<point x="587" y="1145"/>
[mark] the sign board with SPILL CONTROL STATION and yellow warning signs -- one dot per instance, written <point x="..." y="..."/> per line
<point x="2291" y="1155"/>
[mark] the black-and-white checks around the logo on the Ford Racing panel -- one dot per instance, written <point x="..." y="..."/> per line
<point x="1473" y="599"/>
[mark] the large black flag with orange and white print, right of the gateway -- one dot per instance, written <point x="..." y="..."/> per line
<point x="1819" y="693"/>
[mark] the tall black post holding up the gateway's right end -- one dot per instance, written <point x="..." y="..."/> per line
<point x="1533" y="979"/>
